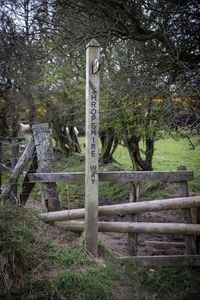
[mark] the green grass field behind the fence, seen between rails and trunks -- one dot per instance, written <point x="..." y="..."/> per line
<point x="169" y="154"/>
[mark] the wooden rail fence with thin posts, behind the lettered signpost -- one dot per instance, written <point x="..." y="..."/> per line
<point x="74" y="219"/>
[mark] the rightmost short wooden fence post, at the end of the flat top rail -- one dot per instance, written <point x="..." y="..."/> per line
<point x="184" y="192"/>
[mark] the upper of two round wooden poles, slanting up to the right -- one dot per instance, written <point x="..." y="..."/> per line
<point x="123" y="209"/>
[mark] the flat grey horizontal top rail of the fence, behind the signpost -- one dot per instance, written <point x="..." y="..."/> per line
<point x="124" y="176"/>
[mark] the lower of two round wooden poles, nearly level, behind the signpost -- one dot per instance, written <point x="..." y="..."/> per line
<point x="137" y="227"/>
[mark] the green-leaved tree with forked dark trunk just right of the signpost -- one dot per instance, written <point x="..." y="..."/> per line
<point x="133" y="84"/>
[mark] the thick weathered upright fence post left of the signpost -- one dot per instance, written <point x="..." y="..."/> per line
<point x="44" y="148"/>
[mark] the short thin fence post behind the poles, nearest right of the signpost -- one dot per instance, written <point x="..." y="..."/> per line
<point x="132" y="237"/>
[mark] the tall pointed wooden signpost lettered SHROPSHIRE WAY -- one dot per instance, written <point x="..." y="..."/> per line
<point x="91" y="156"/>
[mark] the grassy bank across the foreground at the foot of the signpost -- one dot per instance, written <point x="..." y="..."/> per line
<point x="41" y="262"/>
